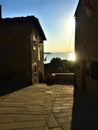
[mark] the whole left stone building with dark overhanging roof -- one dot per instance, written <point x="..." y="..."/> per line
<point x="21" y="50"/>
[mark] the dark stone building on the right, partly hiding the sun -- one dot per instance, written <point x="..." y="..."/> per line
<point x="86" y="46"/>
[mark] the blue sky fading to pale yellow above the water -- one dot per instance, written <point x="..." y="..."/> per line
<point x="56" y="18"/>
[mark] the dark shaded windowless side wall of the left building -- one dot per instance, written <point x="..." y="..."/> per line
<point x="15" y="54"/>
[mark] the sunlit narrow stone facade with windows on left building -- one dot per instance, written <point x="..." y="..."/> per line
<point x="37" y="57"/>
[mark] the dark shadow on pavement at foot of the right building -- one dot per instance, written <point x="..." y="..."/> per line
<point x="85" y="112"/>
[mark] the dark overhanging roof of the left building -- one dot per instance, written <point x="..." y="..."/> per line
<point x="32" y="20"/>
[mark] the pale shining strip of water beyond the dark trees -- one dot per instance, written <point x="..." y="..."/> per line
<point x="63" y="55"/>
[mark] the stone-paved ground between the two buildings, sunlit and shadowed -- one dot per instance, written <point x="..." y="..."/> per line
<point x="42" y="107"/>
